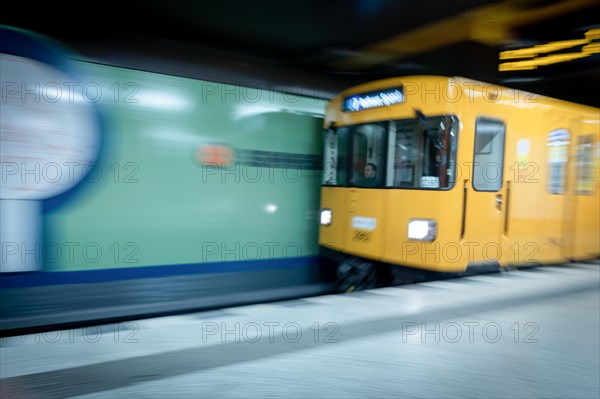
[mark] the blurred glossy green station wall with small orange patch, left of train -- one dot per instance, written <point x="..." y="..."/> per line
<point x="150" y="199"/>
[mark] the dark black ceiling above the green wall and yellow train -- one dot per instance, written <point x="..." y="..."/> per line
<point x="321" y="47"/>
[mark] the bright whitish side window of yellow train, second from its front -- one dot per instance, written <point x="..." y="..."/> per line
<point x="558" y="155"/>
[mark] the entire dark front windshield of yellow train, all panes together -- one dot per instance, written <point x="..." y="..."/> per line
<point x="408" y="153"/>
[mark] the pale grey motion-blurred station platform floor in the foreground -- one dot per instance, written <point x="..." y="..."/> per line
<point x="532" y="333"/>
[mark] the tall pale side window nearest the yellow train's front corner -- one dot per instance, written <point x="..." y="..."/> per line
<point x="488" y="159"/>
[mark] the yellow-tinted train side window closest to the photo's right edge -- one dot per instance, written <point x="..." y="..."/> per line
<point x="587" y="165"/>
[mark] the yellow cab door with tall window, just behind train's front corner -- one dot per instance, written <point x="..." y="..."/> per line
<point x="485" y="203"/>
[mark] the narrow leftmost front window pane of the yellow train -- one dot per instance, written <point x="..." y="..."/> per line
<point x="334" y="153"/>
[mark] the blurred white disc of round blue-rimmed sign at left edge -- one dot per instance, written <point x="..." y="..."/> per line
<point x="49" y="131"/>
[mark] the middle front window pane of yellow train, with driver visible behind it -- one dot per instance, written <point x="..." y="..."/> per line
<point x="368" y="154"/>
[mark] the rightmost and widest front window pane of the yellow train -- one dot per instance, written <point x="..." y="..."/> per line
<point x="424" y="152"/>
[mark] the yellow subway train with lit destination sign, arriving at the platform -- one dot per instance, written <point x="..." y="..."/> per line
<point x="452" y="175"/>
